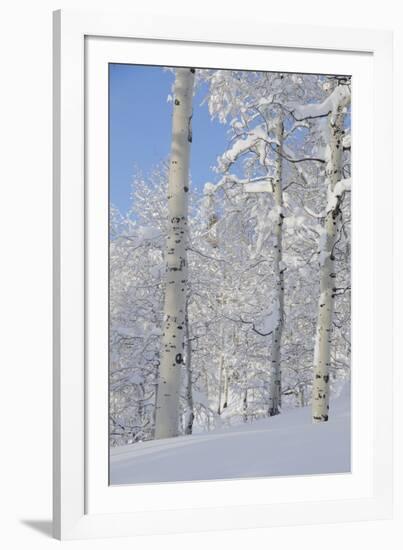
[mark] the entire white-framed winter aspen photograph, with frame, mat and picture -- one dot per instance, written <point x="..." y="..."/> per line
<point x="223" y="298"/>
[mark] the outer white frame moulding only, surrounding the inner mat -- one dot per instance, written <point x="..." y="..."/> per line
<point x="70" y="29"/>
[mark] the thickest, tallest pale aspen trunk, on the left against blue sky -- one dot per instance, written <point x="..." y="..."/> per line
<point x="167" y="409"/>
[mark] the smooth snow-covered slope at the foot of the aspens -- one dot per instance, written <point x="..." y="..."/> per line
<point x="288" y="444"/>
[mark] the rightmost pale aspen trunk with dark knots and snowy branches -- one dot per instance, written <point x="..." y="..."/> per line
<point x="334" y="157"/>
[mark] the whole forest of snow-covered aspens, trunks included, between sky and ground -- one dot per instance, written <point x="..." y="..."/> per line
<point x="232" y="304"/>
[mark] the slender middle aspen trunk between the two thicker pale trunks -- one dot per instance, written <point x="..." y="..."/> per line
<point x="275" y="359"/>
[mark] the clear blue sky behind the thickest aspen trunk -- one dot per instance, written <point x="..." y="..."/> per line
<point x="140" y="129"/>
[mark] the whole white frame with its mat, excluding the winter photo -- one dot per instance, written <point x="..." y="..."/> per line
<point x="84" y="506"/>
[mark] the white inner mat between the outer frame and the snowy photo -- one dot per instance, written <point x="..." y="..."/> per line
<point x="100" y="496"/>
